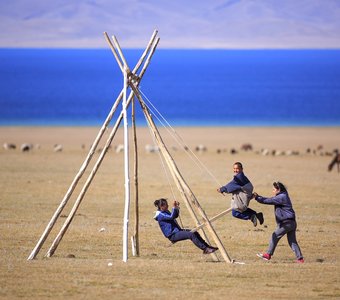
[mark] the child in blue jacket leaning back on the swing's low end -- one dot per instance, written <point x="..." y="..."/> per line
<point x="171" y="230"/>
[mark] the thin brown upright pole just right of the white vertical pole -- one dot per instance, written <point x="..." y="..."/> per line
<point x="136" y="229"/>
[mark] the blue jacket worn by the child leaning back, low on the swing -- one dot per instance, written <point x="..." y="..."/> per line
<point x="167" y="222"/>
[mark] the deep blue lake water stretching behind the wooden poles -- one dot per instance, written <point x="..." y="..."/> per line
<point x="189" y="87"/>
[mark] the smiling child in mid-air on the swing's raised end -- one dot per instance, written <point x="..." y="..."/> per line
<point x="241" y="189"/>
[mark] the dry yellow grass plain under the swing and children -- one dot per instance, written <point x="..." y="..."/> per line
<point x="32" y="185"/>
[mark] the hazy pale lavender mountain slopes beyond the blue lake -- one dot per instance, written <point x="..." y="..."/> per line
<point x="223" y="24"/>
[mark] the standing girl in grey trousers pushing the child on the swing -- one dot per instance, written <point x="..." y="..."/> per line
<point x="285" y="219"/>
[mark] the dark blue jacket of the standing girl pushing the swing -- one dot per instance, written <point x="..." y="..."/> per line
<point x="282" y="206"/>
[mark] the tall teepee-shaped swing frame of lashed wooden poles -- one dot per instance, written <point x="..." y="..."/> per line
<point x="132" y="80"/>
